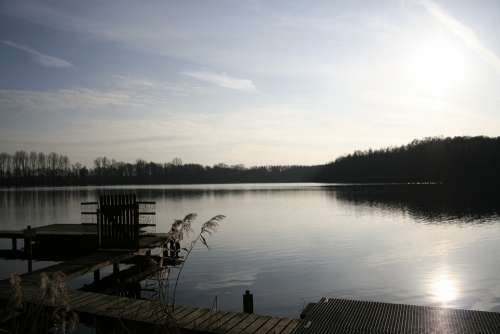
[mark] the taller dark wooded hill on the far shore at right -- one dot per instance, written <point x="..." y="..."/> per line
<point x="435" y="159"/>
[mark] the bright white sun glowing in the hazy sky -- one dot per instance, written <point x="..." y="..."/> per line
<point x="436" y="66"/>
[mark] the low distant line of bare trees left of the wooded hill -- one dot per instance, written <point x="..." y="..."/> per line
<point x="40" y="169"/>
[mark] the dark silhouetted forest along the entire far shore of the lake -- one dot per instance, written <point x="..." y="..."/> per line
<point x="456" y="160"/>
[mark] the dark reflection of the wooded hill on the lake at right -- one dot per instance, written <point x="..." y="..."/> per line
<point x="428" y="203"/>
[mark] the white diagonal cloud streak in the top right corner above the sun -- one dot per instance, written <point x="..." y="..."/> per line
<point x="462" y="31"/>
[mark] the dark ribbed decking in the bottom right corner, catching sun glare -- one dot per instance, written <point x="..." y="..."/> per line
<point x="350" y="316"/>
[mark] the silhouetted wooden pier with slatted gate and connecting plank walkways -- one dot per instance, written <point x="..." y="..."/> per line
<point x="116" y="238"/>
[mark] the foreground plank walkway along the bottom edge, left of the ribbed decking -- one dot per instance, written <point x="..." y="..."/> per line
<point x="153" y="312"/>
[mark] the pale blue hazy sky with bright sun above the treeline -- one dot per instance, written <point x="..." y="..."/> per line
<point x="244" y="82"/>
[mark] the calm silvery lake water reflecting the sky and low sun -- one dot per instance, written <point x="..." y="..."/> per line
<point x="293" y="243"/>
